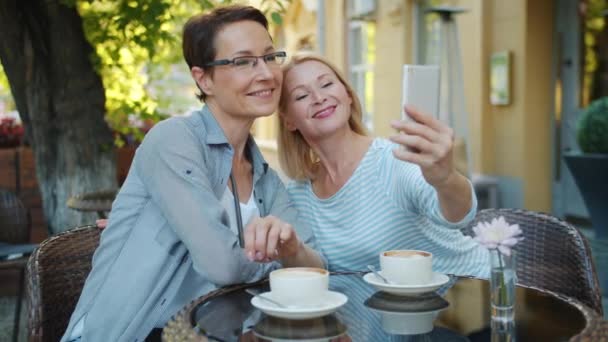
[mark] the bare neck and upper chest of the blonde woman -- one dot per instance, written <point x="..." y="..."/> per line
<point x="339" y="155"/>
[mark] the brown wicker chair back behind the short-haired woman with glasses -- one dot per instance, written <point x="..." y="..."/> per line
<point x="56" y="272"/>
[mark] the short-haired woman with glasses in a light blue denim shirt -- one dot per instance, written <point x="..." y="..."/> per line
<point x="200" y="208"/>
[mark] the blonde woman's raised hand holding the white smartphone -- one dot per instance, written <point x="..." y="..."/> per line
<point x="428" y="143"/>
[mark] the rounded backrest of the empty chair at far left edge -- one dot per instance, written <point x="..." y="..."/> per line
<point x="14" y="219"/>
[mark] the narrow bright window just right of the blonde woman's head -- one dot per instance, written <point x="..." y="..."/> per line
<point x="362" y="55"/>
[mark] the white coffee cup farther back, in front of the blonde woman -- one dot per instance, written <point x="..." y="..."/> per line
<point x="407" y="267"/>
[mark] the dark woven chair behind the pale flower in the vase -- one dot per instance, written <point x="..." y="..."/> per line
<point x="553" y="256"/>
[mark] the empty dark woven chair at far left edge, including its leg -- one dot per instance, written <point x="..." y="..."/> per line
<point x="14" y="241"/>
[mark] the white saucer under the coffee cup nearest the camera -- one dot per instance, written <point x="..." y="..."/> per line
<point x="332" y="302"/>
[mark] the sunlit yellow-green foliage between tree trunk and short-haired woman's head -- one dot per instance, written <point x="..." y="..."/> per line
<point x="137" y="46"/>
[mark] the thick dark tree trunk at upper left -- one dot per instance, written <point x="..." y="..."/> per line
<point x="60" y="98"/>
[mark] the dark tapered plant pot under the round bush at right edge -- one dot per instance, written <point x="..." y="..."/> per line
<point x="590" y="172"/>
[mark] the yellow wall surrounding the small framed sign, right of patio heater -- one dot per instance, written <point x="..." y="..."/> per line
<point x="512" y="141"/>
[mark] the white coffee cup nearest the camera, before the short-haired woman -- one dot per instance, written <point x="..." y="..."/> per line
<point x="299" y="286"/>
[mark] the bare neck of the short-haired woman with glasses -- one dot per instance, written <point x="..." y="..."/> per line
<point x="236" y="129"/>
